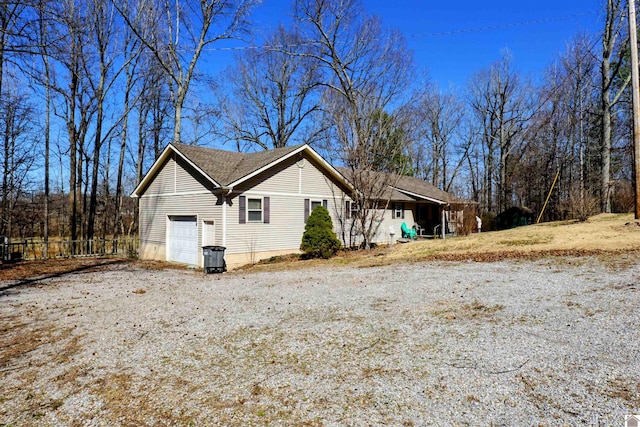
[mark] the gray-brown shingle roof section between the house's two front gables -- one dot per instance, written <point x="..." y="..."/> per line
<point x="225" y="167"/>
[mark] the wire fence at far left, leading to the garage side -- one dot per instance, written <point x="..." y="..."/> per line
<point x="36" y="249"/>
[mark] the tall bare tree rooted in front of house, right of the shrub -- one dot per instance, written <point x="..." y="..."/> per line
<point x="365" y="70"/>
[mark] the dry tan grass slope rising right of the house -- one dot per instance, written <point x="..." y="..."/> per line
<point x="602" y="235"/>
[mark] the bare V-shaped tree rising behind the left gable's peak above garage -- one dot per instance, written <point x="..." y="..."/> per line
<point x="176" y="33"/>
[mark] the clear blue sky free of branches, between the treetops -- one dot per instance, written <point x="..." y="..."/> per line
<point x="450" y="59"/>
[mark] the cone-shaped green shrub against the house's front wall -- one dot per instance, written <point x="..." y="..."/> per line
<point x="319" y="240"/>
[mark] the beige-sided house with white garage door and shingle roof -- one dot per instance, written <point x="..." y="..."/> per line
<point x="256" y="204"/>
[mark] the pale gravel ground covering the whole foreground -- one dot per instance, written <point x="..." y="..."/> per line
<point x="551" y="342"/>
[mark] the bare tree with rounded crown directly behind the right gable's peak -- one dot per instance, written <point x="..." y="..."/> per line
<point x="273" y="93"/>
